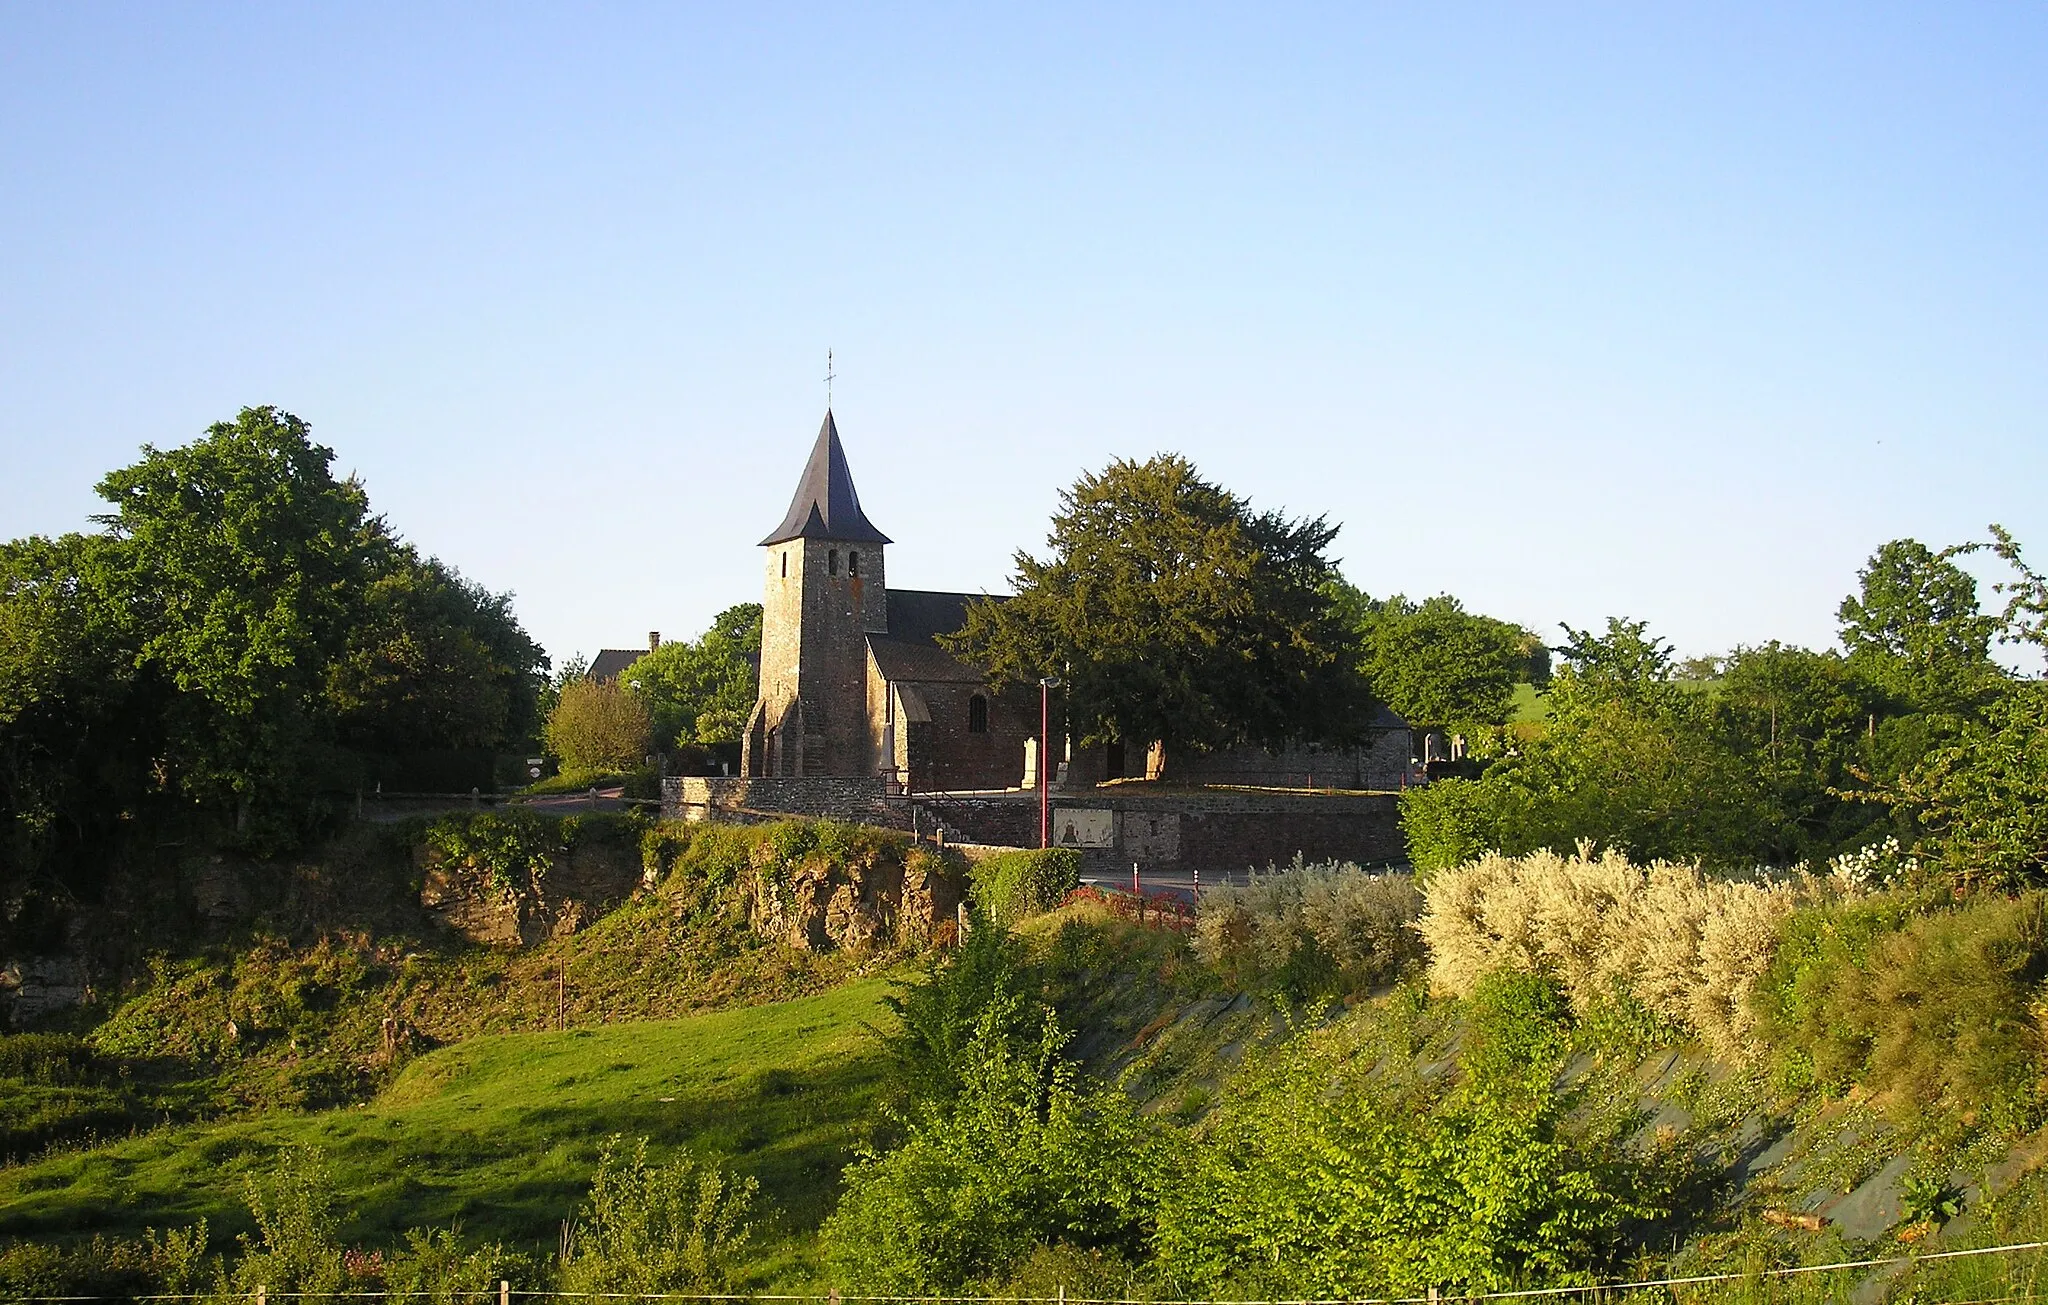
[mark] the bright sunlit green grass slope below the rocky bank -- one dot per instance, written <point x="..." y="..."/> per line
<point x="501" y="1134"/>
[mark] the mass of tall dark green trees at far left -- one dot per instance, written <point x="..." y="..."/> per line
<point x="241" y="644"/>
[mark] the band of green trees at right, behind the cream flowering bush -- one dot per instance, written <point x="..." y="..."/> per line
<point x="1785" y="755"/>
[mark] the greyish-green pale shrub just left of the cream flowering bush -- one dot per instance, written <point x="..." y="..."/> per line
<point x="1312" y="929"/>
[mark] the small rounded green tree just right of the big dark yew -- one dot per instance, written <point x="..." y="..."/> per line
<point x="1439" y="665"/>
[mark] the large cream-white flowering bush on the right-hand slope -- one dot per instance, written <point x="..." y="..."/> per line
<point x="1687" y="948"/>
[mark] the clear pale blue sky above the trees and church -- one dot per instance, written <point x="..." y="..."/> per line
<point x="1568" y="310"/>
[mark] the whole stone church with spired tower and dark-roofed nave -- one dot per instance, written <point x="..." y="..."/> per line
<point x="855" y="683"/>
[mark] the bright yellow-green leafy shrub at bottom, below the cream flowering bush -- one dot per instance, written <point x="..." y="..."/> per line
<point x="1338" y="1169"/>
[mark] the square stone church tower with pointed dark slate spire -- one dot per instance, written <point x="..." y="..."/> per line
<point x="822" y="597"/>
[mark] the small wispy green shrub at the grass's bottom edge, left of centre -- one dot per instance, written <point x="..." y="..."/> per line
<point x="658" y="1228"/>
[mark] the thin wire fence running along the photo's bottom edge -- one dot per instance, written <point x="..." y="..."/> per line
<point x="505" y="1294"/>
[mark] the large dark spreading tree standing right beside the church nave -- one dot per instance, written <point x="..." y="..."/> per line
<point x="1175" y="614"/>
